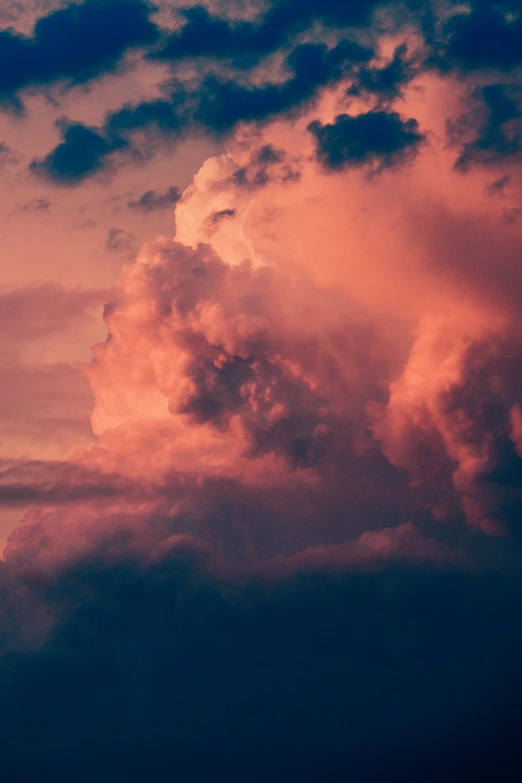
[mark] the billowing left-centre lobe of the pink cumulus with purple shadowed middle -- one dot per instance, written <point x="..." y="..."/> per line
<point x="224" y="362"/>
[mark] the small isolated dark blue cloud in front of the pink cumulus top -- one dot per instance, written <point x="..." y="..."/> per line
<point x="378" y="138"/>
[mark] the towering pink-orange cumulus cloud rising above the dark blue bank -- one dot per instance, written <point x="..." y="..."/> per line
<point x="235" y="365"/>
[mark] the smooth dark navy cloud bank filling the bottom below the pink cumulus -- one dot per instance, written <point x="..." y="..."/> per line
<point x="164" y="672"/>
